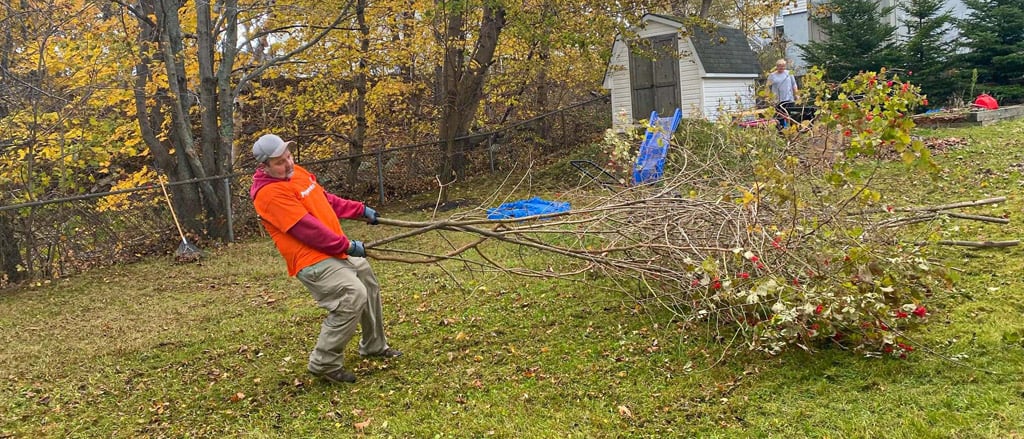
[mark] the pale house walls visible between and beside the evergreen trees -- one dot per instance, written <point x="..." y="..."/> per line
<point x="794" y="23"/>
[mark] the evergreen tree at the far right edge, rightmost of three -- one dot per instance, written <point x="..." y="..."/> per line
<point x="994" y="33"/>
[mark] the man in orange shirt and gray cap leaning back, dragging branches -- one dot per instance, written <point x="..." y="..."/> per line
<point x="303" y="221"/>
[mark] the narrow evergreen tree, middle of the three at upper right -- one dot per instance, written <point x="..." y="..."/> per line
<point x="927" y="51"/>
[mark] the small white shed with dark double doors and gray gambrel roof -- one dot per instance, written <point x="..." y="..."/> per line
<point x="703" y="73"/>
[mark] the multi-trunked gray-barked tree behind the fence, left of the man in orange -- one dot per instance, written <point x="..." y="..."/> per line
<point x="215" y="87"/>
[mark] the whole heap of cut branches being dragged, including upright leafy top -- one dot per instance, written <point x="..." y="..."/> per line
<point x="745" y="237"/>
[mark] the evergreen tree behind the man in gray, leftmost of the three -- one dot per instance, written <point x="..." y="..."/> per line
<point x="858" y="40"/>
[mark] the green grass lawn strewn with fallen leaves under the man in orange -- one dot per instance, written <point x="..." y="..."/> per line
<point x="219" y="349"/>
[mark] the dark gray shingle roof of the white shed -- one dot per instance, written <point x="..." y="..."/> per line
<point x="722" y="50"/>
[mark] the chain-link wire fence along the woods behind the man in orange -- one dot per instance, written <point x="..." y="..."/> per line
<point x="53" y="239"/>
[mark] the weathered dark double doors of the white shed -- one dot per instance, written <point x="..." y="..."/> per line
<point x="655" y="76"/>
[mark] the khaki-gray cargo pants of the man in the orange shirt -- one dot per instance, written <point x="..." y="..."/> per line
<point x="348" y="289"/>
